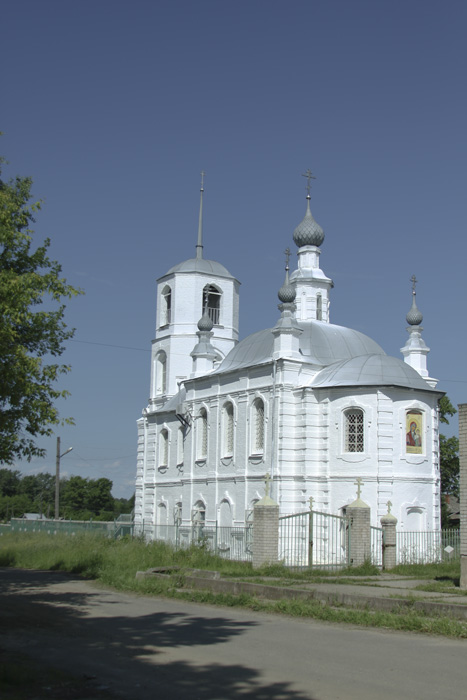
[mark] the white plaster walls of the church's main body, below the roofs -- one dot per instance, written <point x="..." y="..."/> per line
<point x="304" y="450"/>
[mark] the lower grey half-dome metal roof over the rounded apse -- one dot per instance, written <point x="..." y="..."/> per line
<point x="370" y="370"/>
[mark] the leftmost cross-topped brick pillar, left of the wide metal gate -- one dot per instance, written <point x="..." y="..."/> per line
<point x="265" y="532"/>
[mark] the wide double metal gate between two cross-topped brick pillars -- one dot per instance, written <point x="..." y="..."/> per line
<point x="314" y="539"/>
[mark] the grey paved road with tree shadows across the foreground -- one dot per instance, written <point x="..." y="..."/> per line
<point x="145" y="648"/>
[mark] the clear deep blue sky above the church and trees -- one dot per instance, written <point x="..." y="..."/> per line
<point x="114" y="107"/>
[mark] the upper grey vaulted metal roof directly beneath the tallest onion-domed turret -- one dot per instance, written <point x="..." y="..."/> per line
<point x="320" y="343"/>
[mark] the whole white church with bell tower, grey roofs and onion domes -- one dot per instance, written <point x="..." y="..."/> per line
<point x="310" y="403"/>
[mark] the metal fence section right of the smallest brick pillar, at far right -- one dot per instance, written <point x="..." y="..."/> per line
<point x="427" y="547"/>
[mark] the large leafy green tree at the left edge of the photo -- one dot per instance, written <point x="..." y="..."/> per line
<point x="29" y="336"/>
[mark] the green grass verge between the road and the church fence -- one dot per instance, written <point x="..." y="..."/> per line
<point x="115" y="563"/>
